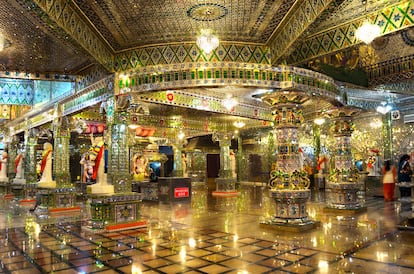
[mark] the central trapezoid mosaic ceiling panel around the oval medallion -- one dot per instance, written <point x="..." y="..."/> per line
<point x="249" y="21"/>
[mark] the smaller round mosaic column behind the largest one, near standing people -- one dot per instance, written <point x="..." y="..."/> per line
<point x="344" y="183"/>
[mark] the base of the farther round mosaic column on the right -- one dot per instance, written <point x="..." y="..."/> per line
<point x="343" y="197"/>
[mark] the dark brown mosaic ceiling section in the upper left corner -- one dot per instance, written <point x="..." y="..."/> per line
<point x="38" y="47"/>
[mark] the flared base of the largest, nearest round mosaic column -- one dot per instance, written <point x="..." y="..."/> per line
<point x="291" y="212"/>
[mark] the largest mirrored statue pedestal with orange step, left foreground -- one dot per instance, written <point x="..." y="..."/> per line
<point x="116" y="212"/>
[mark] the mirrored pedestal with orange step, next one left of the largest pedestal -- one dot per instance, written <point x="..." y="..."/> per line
<point x="57" y="200"/>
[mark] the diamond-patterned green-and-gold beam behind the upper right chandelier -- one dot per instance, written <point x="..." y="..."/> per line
<point x="390" y="19"/>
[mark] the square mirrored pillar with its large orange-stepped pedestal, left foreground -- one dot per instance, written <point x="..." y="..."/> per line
<point x="114" y="206"/>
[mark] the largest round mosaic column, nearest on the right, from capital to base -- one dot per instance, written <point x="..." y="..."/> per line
<point x="288" y="182"/>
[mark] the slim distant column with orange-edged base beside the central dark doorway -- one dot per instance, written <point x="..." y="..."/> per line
<point x="226" y="183"/>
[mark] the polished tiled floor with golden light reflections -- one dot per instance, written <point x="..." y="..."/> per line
<point x="211" y="235"/>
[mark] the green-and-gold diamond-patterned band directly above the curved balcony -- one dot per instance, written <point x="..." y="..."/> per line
<point x="184" y="53"/>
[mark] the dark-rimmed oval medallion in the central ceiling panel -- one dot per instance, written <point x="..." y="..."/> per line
<point x="207" y="12"/>
